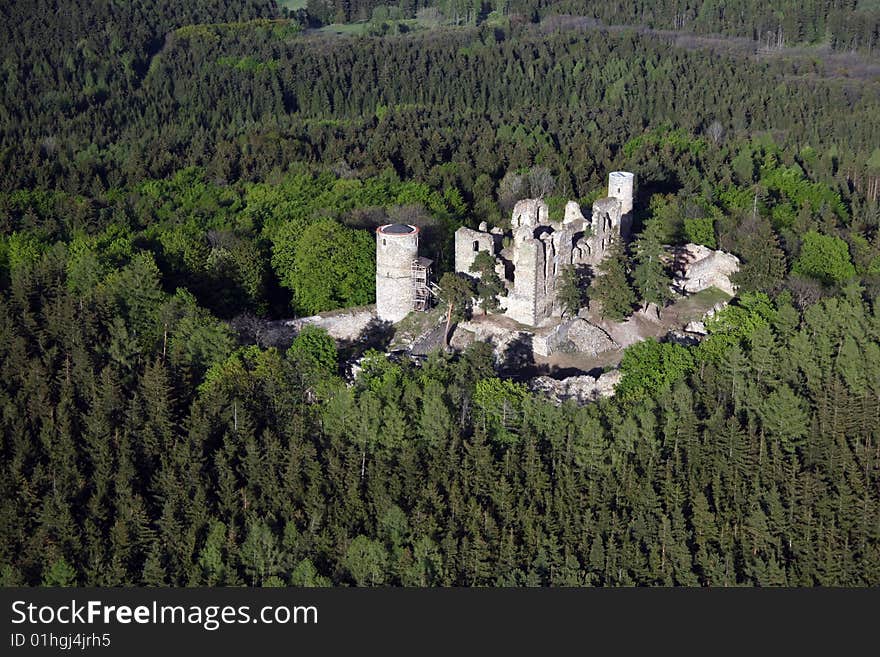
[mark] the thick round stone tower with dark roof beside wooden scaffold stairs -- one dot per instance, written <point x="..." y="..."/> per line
<point x="397" y="245"/>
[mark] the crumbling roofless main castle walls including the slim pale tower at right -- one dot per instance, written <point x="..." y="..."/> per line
<point x="531" y="260"/>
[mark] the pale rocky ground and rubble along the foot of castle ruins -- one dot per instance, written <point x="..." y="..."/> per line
<point x="572" y="358"/>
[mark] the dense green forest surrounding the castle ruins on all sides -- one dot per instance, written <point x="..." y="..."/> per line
<point x="173" y="176"/>
